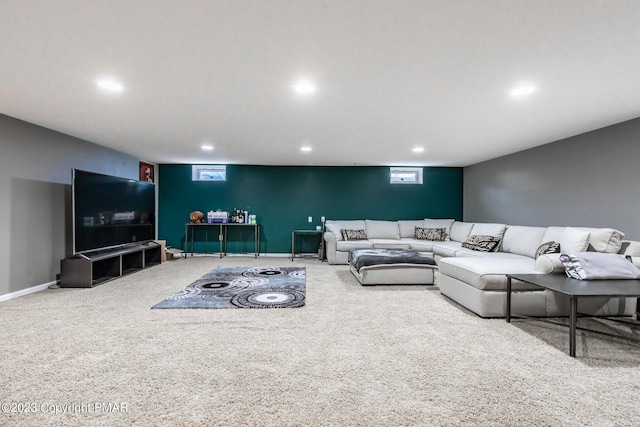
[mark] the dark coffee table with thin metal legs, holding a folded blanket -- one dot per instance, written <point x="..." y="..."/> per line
<point x="575" y="289"/>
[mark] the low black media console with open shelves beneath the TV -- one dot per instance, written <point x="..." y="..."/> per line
<point x="90" y="269"/>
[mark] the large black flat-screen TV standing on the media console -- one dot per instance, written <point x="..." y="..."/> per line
<point x="110" y="211"/>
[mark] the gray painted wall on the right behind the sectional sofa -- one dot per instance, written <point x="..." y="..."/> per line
<point x="589" y="180"/>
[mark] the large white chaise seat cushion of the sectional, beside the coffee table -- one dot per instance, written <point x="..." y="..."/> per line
<point x="488" y="273"/>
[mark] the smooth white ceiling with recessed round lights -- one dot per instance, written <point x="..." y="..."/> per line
<point x="391" y="75"/>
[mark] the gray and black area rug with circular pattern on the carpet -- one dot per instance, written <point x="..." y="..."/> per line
<point x="243" y="287"/>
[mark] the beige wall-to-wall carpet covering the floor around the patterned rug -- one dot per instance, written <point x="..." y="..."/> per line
<point x="352" y="356"/>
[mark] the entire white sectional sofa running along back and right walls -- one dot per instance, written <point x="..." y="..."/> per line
<point x="476" y="279"/>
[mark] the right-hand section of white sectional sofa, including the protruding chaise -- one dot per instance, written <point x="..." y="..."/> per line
<point x="477" y="280"/>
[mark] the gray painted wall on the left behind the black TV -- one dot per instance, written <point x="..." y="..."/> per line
<point x="35" y="194"/>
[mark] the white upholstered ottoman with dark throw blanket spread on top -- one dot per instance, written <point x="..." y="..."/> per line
<point x="391" y="267"/>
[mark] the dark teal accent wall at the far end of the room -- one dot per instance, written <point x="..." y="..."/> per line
<point x="283" y="197"/>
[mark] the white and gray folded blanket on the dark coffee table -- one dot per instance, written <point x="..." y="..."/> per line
<point x="598" y="266"/>
